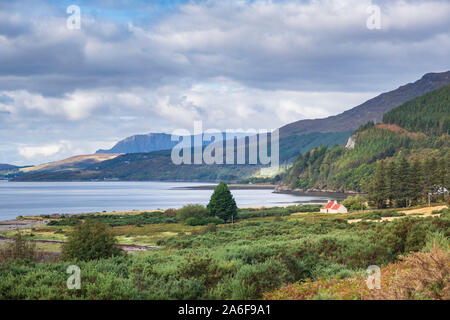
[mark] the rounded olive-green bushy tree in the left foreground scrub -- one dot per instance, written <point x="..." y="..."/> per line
<point x="91" y="240"/>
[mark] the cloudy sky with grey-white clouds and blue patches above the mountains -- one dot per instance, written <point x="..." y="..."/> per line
<point x="138" y="66"/>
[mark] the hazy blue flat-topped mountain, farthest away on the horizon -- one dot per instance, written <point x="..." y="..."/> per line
<point x="151" y="142"/>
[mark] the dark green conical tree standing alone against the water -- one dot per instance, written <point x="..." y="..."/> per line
<point x="222" y="203"/>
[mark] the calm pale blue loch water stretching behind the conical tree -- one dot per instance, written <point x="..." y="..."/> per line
<point x="33" y="198"/>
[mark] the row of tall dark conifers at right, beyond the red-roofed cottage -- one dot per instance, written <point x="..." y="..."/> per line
<point x="404" y="183"/>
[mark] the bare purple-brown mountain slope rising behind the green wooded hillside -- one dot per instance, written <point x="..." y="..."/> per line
<point x="372" y="109"/>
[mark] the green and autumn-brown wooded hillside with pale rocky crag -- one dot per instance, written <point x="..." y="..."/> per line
<point x="352" y="168"/>
